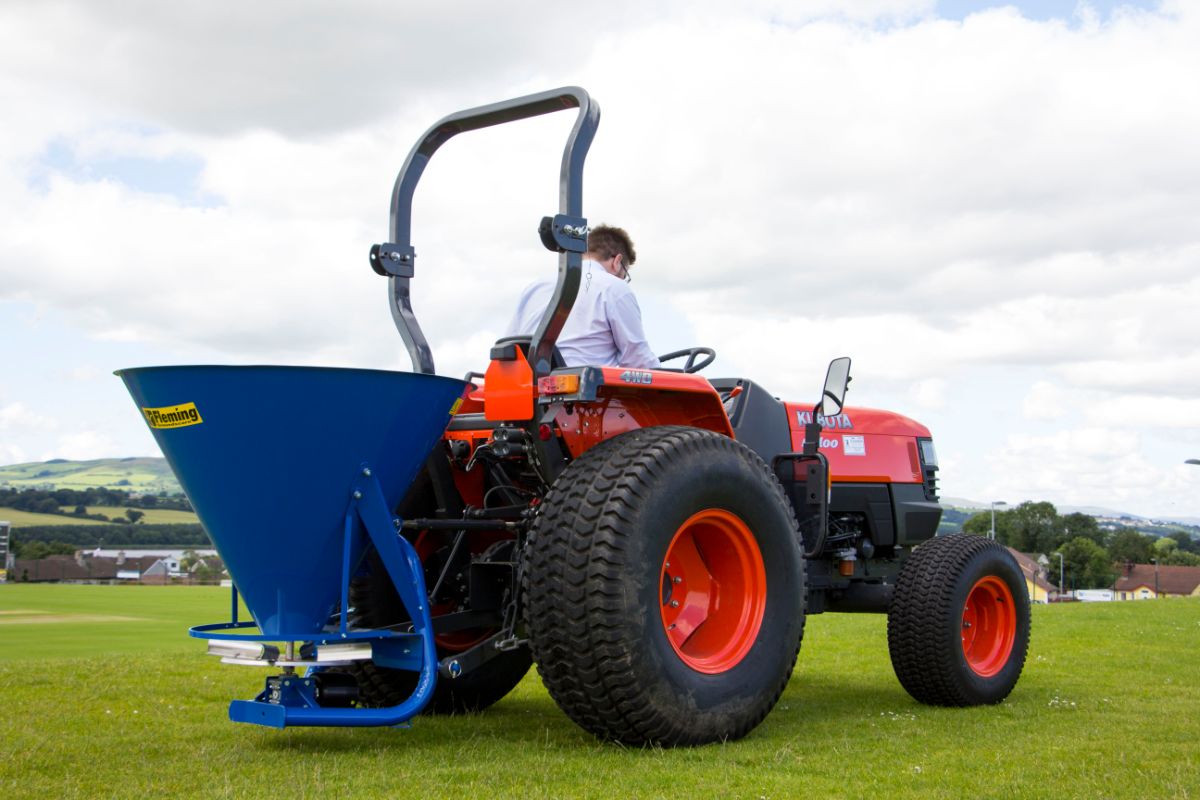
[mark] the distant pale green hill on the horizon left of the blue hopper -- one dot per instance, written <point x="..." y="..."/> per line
<point x="139" y="476"/>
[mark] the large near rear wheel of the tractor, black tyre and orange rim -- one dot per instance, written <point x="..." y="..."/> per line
<point x="664" y="590"/>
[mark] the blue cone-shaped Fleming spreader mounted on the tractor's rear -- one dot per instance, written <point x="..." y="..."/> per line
<point x="295" y="472"/>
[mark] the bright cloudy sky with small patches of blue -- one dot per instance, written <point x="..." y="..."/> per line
<point x="995" y="210"/>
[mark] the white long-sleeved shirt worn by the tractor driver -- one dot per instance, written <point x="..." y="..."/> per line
<point x="605" y="324"/>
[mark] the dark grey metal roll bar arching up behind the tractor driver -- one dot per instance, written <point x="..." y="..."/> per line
<point x="565" y="233"/>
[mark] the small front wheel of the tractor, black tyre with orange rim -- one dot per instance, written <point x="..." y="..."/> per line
<point x="959" y="623"/>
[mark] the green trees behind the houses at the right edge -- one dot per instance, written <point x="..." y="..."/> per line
<point x="1091" y="555"/>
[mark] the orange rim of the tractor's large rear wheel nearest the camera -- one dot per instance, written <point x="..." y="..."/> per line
<point x="713" y="592"/>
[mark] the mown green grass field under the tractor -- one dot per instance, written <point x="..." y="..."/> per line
<point x="1109" y="707"/>
